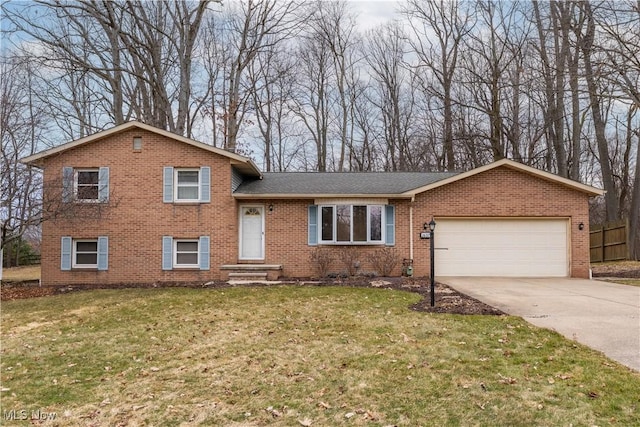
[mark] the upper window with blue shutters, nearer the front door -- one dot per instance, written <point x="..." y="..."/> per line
<point x="186" y="185"/>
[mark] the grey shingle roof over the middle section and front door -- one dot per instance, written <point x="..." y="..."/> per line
<point x="337" y="183"/>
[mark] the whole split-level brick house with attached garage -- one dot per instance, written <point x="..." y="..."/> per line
<point x="136" y="204"/>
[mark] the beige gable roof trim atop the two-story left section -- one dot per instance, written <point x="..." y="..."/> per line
<point x="243" y="164"/>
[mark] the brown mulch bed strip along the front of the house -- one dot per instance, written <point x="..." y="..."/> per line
<point x="447" y="300"/>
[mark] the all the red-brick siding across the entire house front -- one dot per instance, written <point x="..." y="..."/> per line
<point x="137" y="218"/>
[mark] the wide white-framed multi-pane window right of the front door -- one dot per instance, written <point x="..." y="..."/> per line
<point x="351" y="224"/>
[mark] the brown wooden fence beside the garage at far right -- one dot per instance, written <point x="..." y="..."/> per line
<point x="609" y="241"/>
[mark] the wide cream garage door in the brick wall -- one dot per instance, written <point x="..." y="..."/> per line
<point x="501" y="247"/>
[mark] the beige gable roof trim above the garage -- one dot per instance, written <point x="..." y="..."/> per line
<point x="592" y="191"/>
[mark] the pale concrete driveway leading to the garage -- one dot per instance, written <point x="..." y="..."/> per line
<point x="604" y="316"/>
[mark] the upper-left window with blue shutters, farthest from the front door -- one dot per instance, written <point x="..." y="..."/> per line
<point x="85" y="184"/>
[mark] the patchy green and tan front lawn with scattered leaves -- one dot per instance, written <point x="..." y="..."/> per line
<point x="296" y="356"/>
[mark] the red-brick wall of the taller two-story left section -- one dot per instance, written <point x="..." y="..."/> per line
<point x="137" y="218"/>
